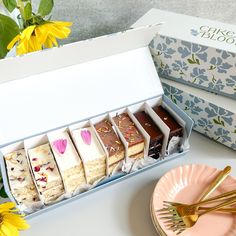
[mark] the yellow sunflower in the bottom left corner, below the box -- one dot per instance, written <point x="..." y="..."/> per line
<point x="10" y="220"/>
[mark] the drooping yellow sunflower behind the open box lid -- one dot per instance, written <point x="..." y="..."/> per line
<point x="36" y="37"/>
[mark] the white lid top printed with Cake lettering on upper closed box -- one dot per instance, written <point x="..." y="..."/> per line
<point x="210" y="33"/>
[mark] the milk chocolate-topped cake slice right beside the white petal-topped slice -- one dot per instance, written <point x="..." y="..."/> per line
<point x="113" y="144"/>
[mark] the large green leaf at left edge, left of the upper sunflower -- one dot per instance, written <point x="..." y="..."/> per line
<point x="8" y="30"/>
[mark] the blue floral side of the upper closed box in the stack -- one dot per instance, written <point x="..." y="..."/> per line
<point x="209" y="68"/>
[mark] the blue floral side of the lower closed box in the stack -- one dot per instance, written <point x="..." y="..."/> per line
<point x="209" y="119"/>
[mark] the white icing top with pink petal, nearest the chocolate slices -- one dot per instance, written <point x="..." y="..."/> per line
<point x="88" y="151"/>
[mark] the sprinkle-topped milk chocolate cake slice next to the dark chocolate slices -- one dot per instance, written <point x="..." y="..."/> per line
<point x="131" y="134"/>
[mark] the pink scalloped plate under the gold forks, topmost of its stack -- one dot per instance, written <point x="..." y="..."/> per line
<point x="185" y="184"/>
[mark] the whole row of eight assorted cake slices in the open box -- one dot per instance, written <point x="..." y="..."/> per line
<point x="58" y="167"/>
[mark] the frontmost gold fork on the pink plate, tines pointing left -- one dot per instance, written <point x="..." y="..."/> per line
<point x="180" y="223"/>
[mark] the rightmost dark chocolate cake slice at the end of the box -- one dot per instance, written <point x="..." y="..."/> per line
<point x="175" y="128"/>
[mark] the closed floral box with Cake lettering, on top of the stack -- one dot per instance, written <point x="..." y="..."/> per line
<point x="194" y="51"/>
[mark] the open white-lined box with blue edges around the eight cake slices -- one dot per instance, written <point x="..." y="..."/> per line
<point x="64" y="87"/>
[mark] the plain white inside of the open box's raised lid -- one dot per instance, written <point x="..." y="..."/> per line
<point x="52" y="99"/>
